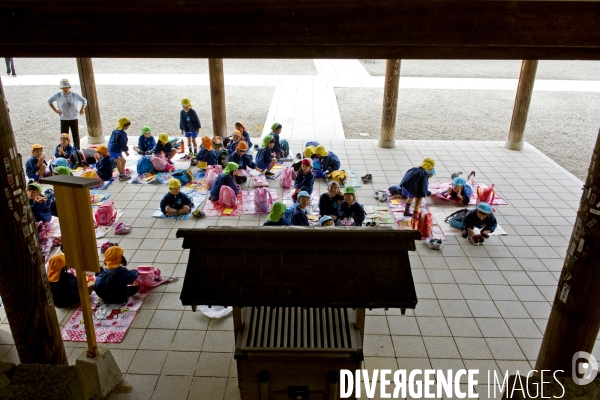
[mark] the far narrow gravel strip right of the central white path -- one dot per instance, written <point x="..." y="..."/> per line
<point x="506" y="69"/>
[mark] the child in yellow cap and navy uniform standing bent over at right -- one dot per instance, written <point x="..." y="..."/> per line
<point x="414" y="185"/>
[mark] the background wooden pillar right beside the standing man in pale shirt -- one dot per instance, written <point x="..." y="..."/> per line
<point x="88" y="90"/>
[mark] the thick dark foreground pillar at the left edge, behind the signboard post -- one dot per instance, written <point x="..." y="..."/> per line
<point x="23" y="281"/>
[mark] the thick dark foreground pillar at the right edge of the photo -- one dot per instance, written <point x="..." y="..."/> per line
<point x="575" y="317"/>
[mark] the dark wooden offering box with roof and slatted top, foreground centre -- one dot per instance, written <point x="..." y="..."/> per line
<point x="299" y="297"/>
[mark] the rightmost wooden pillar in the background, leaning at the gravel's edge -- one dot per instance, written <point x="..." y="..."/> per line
<point x="521" y="108"/>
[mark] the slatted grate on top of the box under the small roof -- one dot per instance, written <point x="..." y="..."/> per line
<point x="299" y="328"/>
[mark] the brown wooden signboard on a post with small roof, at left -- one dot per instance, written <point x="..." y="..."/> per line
<point x="79" y="240"/>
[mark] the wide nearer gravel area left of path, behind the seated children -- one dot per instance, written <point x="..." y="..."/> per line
<point x="34" y="122"/>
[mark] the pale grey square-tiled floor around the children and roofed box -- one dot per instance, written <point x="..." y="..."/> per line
<point x="479" y="307"/>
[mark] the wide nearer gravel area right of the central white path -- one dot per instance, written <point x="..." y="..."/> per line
<point x="563" y="125"/>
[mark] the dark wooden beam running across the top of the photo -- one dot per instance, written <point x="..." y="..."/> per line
<point x="391" y="29"/>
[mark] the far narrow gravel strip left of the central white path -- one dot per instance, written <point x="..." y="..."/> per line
<point x="51" y="66"/>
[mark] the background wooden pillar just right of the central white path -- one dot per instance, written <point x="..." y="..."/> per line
<point x="390" y="104"/>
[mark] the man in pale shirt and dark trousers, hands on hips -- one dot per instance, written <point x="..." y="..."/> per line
<point x="67" y="109"/>
